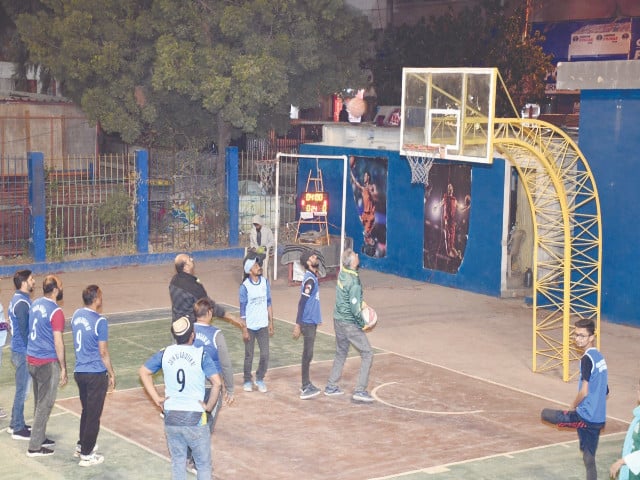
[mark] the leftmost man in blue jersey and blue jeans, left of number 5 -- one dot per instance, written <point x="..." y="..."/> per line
<point x="19" y="321"/>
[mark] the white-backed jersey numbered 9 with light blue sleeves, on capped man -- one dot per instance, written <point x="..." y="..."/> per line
<point x="185" y="368"/>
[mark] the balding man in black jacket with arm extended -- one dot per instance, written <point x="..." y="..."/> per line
<point x="186" y="289"/>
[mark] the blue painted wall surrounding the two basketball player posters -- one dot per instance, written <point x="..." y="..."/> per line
<point x="480" y="269"/>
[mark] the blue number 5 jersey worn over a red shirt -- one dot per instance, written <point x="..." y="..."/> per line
<point x="41" y="316"/>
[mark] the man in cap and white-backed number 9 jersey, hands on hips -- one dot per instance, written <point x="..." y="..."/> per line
<point x="185" y="369"/>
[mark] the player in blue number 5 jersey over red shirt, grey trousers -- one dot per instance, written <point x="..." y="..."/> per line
<point x="46" y="361"/>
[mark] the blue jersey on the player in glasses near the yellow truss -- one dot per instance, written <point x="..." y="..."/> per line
<point x="593" y="407"/>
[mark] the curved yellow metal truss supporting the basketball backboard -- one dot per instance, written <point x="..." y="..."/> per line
<point x="567" y="235"/>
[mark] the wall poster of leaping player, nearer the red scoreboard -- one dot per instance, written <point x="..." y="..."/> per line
<point x="368" y="176"/>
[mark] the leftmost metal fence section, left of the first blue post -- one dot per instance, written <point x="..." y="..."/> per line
<point x="15" y="214"/>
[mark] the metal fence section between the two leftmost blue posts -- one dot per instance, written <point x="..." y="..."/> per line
<point x="90" y="206"/>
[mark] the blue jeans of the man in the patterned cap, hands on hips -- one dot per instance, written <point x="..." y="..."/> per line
<point x="198" y="439"/>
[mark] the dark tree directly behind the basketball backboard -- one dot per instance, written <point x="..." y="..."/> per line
<point x="483" y="36"/>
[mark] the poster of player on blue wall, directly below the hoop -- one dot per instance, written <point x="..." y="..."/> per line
<point x="447" y="205"/>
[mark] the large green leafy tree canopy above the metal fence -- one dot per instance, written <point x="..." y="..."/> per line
<point x="182" y="72"/>
